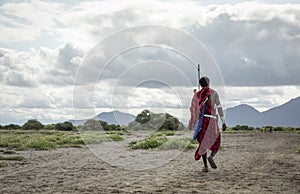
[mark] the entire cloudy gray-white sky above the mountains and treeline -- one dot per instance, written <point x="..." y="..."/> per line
<point x="69" y="59"/>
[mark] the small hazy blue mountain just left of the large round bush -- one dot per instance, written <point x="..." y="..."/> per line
<point x="115" y="117"/>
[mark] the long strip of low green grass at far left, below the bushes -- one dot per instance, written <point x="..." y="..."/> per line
<point x="46" y="140"/>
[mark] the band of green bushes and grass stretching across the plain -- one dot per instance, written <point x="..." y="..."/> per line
<point x="35" y="135"/>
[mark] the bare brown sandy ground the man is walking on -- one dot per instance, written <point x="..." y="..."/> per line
<point x="249" y="163"/>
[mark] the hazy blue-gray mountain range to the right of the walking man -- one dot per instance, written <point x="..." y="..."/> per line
<point x="286" y="115"/>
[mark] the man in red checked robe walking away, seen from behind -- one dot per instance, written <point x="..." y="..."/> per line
<point x="204" y="106"/>
